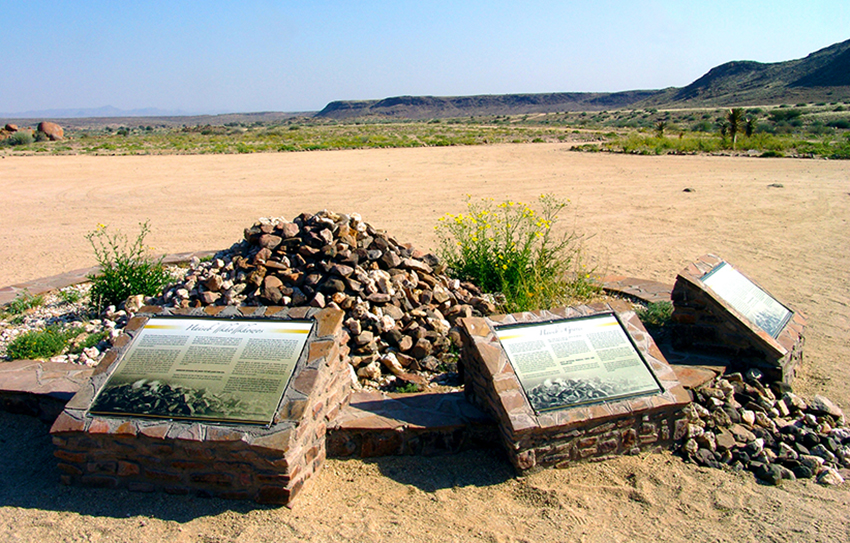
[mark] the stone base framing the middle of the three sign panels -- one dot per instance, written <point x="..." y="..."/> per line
<point x="572" y="434"/>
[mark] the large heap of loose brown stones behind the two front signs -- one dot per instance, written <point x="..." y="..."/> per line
<point x="400" y="307"/>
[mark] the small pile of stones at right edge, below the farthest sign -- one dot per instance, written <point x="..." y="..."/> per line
<point x="737" y="422"/>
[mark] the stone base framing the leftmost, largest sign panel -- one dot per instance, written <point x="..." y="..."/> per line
<point x="233" y="461"/>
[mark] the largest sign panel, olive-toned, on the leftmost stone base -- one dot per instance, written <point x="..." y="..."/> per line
<point x="205" y="369"/>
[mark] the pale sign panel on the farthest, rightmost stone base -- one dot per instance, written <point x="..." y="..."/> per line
<point x="748" y="299"/>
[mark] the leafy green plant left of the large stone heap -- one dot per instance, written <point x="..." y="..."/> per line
<point x="125" y="269"/>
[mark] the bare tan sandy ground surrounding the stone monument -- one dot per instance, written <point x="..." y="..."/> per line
<point x="794" y="240"/>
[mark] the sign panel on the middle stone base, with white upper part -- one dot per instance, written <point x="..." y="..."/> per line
<point x="576" y="361"/>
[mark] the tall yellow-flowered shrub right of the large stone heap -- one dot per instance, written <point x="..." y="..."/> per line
<point x="511" y="249"/>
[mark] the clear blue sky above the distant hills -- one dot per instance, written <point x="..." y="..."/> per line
<point x="269" y="55"/>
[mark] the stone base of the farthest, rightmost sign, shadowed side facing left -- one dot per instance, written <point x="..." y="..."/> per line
<point x="705" y="321"/>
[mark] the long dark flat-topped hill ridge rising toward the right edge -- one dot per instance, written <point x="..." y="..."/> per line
<point x="823" y="76"/>
